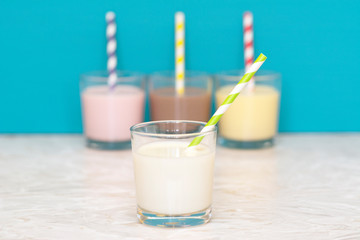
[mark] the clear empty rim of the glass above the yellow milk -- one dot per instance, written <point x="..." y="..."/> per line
<point x="261" y="75"/>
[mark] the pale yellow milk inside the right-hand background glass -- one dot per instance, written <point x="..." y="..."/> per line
<point x="252" y="116"/>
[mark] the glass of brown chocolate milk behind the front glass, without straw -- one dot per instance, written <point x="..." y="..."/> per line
<point x="167" y="104"/>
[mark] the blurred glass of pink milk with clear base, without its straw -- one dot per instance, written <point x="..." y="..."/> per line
<point x="108" y="114"/>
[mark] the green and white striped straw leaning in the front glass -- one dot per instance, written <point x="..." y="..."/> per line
<point x="230" y="98"/>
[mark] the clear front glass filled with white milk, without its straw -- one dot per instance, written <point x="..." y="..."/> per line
<point x="173" y="183"/>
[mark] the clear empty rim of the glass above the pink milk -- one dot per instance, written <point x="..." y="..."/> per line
<point x="102" y="76"/>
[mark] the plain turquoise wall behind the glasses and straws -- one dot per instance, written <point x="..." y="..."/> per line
<point x="46" y="45"/>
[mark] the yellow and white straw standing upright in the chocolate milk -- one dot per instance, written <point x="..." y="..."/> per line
<point x="179" y="52"/>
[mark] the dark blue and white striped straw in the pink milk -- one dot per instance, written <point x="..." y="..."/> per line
<point x="111" y="49"/>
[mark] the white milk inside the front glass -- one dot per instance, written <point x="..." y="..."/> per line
<point x="171" y="181"/>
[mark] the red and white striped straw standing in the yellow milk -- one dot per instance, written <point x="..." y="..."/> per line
<point x="248" y="45"/>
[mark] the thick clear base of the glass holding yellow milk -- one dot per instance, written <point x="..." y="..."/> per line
<point x="246" y="144"/>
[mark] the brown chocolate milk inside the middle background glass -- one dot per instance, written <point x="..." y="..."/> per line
<point x="194" y="104"/>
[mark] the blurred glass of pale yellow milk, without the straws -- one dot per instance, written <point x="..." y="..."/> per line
<point x="251" y="122"/>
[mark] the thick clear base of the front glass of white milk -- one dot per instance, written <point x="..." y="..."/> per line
<point x="175" y="221"/>
